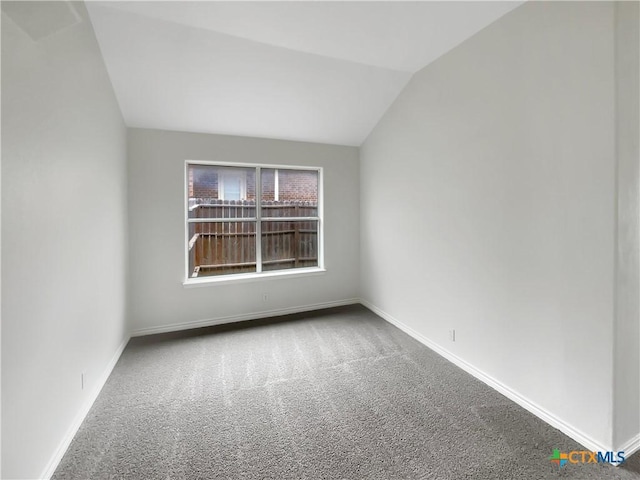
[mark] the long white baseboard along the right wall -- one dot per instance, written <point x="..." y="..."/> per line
<point x="548" y="417"/>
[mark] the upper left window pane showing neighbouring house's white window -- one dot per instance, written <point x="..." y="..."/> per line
<point x="215" y="185"/>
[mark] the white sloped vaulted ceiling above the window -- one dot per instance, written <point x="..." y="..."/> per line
<point x="313" y="71"/>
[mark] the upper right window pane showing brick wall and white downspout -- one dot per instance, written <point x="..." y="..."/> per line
<point x="289" y="193"/>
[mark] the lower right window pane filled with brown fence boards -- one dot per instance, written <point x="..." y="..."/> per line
<point x="288" y="245"/>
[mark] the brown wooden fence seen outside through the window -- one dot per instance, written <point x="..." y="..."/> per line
<point x="217" y="248"/>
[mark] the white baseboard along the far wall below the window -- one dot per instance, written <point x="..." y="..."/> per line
<point x="240" y="318"/>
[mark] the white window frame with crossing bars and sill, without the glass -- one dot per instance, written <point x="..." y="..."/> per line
<point x="258" y="219"/>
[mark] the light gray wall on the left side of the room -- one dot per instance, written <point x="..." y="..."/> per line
<point x="64" y="242"/>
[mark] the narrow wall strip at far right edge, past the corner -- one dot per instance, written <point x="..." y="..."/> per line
<point x="627" y="331"/>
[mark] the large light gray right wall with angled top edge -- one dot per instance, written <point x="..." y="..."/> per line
<point x="488" y="206"/>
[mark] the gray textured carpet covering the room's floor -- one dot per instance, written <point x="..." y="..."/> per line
<point x="336" y="394"/>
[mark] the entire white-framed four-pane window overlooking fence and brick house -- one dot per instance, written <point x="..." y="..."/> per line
<point x="250" y="220"/>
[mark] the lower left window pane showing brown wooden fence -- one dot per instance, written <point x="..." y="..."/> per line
<point x="221" y="248"/>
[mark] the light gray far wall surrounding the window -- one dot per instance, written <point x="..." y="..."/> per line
<point x="157" y="234"/>
